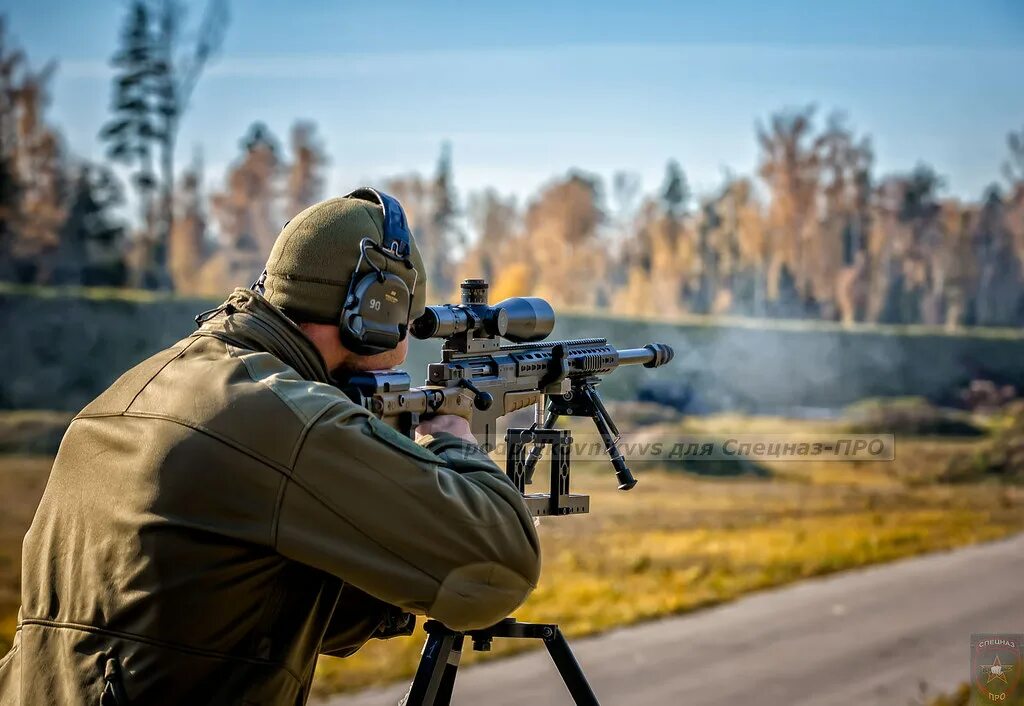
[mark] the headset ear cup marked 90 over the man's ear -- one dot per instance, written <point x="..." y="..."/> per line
<point x="377" y="317"/>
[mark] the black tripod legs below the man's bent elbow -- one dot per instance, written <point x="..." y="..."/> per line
<point x="436" y="677"/>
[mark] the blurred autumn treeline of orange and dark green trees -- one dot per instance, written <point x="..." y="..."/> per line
<point x="816" y="233"/>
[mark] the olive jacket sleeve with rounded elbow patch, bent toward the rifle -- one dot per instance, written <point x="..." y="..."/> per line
<point x="435" y="529"/>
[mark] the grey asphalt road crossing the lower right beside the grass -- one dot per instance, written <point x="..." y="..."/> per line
<point x="858" y="639"/>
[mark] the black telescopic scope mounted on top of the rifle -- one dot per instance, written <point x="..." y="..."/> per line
<point x="519" y="319"/>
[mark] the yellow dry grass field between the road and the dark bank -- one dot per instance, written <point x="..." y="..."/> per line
<point x="680" y="541"/>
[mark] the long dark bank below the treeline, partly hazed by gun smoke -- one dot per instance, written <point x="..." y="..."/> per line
<point x="60" y="350"/>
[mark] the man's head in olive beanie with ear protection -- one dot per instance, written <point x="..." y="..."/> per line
<point x="331" y="253"/>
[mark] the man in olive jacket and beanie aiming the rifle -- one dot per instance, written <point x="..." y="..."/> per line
<point x="223" y="515"/>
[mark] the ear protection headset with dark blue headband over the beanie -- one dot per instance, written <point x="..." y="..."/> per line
<point x="375" y="316"/>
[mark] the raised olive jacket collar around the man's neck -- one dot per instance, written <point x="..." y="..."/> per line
<point x="249" y="321"/>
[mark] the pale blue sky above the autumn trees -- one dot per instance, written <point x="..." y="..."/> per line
<point x="527" y="91"/>
